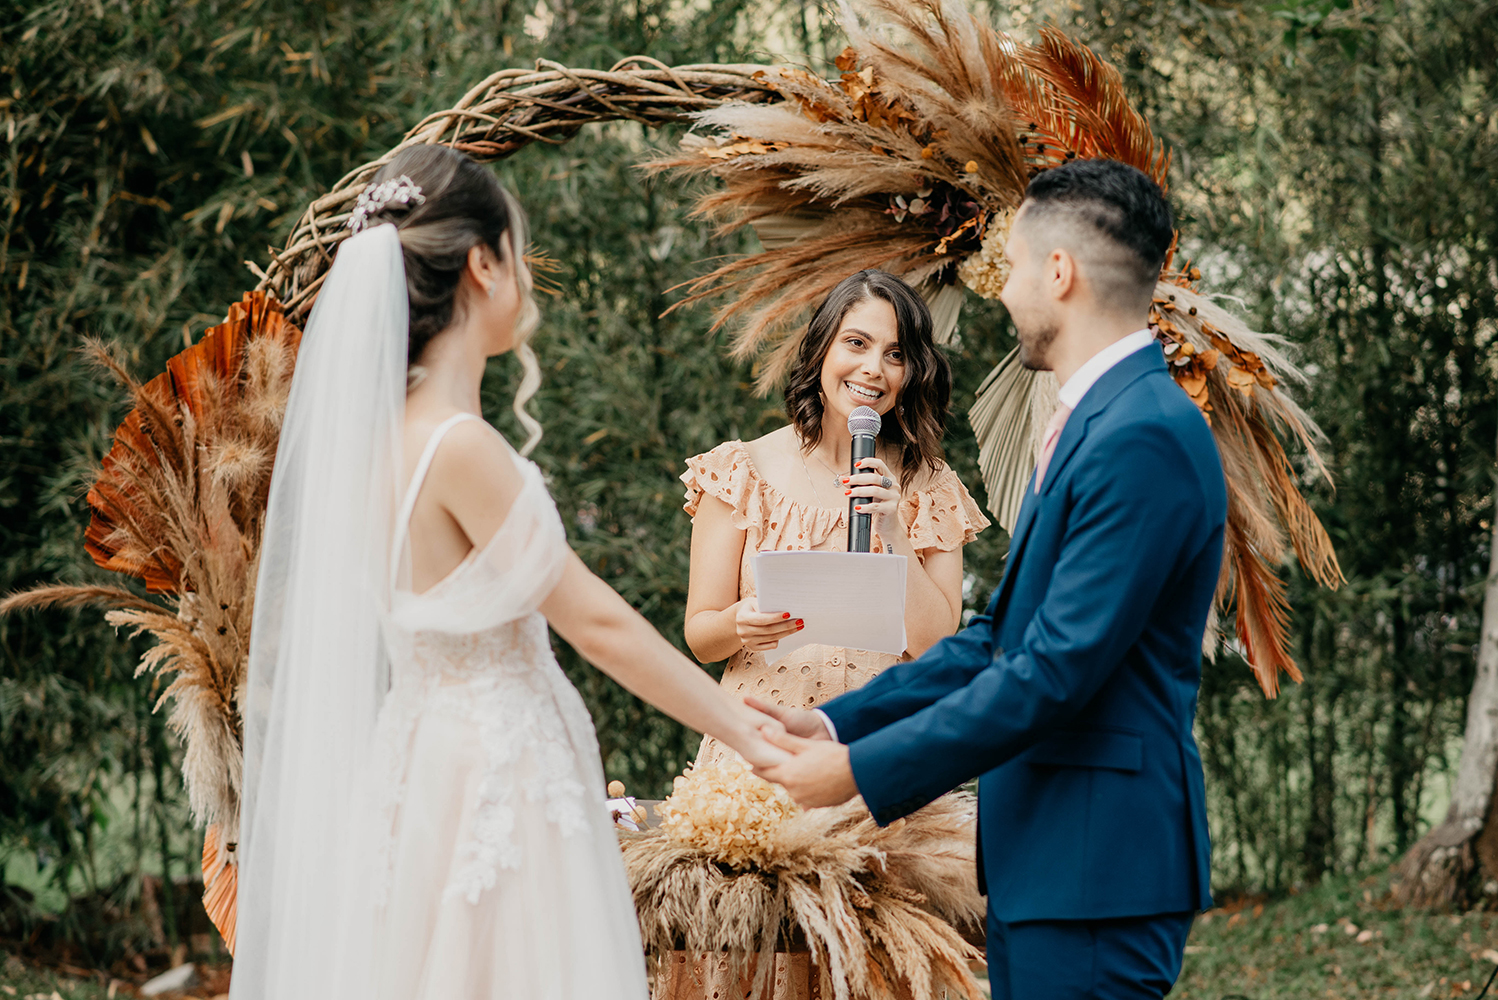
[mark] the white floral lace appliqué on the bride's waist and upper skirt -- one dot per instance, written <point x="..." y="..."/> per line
<point x="531" y="721"/>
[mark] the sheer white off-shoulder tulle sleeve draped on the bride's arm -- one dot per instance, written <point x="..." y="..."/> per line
<point x="509" y="579"/>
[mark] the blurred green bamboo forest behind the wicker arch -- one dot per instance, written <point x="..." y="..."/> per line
<point x="1334" y="170"/>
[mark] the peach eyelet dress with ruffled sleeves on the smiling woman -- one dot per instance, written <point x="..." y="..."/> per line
<point x="943" y="517"/>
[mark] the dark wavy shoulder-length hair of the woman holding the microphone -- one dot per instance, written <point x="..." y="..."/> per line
<point x="918" y="423"/>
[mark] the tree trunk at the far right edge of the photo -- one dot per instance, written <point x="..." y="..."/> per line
<point x="1458" y="862"/>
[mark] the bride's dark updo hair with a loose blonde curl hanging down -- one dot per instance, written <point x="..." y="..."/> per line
<point x="462" y="206"/>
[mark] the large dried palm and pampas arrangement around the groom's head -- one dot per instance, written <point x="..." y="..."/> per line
<point x="915" y="161"/>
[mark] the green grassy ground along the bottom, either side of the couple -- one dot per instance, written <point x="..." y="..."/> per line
<point x="1335" y="942"/>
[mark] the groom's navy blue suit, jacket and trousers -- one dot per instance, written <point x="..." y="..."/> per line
<point x="1073" y="695"/>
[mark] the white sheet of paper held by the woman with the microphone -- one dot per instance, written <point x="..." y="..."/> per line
<point x="852" y="600"/>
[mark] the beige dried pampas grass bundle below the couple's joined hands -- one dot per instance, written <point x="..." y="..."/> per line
<point x="879" y="908"/>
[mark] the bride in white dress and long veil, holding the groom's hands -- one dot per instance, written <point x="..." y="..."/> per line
<point x="425" y="803"/>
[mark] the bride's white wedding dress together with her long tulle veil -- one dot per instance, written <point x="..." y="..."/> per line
<point x="423" y="802"/>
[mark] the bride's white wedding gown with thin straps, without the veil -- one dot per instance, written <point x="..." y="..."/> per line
<point x="501" y="869"/>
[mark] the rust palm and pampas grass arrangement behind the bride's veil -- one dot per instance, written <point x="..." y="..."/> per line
<point x="179" y="504"/>
